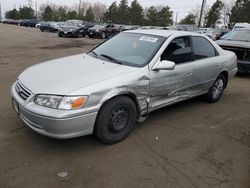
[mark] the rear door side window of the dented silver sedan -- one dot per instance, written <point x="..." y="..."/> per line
<point x="203" y="48"/>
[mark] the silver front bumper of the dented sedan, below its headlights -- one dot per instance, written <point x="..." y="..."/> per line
<point x="61" y="128"/>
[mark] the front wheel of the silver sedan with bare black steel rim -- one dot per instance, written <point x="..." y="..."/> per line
<point x="115" y="120"/>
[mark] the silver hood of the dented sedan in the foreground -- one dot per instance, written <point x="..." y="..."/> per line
<point x="65" y="75"/>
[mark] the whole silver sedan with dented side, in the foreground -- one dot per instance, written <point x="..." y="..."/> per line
<point x="119" y="82"/>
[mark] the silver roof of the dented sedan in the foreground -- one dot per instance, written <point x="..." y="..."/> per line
<point x="163" y="33"/>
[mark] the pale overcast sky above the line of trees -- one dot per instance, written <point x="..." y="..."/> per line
<point x="180" y="6"/>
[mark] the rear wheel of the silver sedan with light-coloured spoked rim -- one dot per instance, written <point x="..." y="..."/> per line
<point x="217" y="89"/>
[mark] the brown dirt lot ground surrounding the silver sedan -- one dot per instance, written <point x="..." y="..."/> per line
<point x="189" y="145"/>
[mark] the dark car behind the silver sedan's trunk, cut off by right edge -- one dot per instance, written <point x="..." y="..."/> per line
<point x="238" y="41"/>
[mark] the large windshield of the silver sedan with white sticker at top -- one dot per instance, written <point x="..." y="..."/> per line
<point x="130" y="49"/>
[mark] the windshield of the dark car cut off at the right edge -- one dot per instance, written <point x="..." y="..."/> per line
<point x="239" y="35"/>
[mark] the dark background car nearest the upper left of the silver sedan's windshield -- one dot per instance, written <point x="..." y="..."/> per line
<point x="104" y="31"/>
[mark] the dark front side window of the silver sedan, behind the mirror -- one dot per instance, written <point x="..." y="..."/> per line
<point x="178" y="51"/>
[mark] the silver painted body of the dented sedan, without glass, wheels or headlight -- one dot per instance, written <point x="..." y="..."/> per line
<point x="101" y="80"/>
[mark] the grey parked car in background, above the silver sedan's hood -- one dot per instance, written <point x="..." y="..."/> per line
<point x="74" y="28"/>
